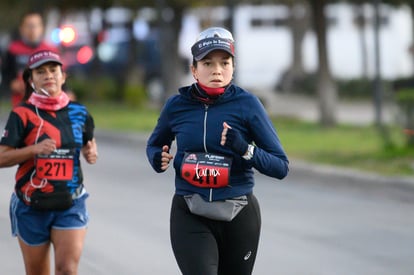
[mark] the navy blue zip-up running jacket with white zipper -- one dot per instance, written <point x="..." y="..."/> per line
<point x="197" y="127"/>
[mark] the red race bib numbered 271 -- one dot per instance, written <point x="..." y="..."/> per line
<point x="57" y="166"/>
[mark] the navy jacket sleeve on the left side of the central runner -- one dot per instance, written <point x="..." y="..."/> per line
<point x="161" y="135"/>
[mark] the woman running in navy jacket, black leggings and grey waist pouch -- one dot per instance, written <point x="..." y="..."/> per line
<point x="222" y="132"/>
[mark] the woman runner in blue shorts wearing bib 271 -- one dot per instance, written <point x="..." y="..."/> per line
<point x="45" y="136"/>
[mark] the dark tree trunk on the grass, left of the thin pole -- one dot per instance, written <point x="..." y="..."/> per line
<point x="327" y="90"/>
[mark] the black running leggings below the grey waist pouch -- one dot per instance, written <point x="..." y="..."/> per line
<point x="207" y="247"/>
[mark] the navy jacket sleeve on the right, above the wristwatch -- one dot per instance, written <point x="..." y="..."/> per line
<point x="269" y="157"/>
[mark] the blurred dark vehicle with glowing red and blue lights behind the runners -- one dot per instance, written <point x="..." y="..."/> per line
<point x="110" y="42"/>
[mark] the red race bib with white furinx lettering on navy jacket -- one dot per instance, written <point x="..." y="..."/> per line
<point x="206" y="170"/>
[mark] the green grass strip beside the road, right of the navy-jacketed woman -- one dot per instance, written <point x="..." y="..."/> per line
<point x="346" y="145"/>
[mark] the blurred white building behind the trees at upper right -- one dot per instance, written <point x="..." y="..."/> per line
<point x="264" y="41"/>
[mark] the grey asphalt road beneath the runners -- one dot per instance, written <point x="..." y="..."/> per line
<point x="313" y="223"/>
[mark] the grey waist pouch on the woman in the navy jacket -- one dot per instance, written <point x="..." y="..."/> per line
<point x="225" y="210"/>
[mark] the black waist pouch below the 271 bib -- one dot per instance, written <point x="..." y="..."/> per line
<point x="55" y="201"/>
